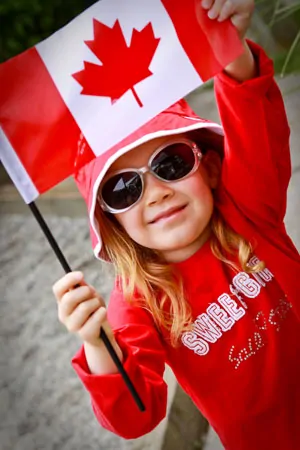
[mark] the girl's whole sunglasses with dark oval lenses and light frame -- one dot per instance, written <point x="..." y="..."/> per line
<point x="171" y="162"/>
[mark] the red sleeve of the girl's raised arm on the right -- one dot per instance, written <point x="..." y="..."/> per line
<point x="256" y="169"/>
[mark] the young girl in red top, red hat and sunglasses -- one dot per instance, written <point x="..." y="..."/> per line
<point x="207" y="279"/>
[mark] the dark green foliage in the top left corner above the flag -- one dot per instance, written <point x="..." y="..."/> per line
<point x="27" y="22"/>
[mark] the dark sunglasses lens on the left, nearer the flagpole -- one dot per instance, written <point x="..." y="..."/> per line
<point x="122" y="190"/>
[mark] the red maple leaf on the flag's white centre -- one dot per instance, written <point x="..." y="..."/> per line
<point x="122" y="66"/>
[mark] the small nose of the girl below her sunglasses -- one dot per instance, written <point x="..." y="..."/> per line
<point x="155" y="190"/>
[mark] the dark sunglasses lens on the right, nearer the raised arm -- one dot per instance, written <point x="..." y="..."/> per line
<point x="174" y="162"/>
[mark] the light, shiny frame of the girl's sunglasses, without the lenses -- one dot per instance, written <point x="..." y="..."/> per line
<point x="141" y="172"/>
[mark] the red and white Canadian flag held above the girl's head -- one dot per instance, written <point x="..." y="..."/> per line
<point x="92" y="83"/>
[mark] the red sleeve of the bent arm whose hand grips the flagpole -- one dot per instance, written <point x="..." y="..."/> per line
<point x="144" y="361"/>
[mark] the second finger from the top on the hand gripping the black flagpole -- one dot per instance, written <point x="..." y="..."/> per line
<point x="71" y="299"/>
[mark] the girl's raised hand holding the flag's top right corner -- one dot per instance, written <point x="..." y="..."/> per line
<point x="239" y="11"/>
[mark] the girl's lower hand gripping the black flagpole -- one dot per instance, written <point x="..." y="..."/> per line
<point x="81" y="309"/>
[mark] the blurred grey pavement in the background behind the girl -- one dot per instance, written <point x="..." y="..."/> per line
<point x="42" y="403"/>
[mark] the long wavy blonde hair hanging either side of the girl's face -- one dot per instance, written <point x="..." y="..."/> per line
<point x="160" y="289"/>
